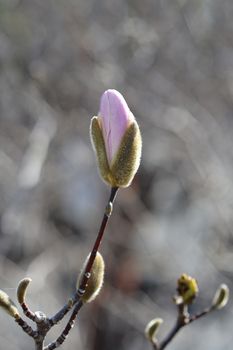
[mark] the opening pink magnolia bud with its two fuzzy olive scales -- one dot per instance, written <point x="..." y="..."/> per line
<point x="116" y="139"/>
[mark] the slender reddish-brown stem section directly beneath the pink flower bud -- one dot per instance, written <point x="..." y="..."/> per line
<point x="97" y="243"/>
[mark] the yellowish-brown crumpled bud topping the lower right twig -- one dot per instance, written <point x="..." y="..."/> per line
<point x="187" y="289"/>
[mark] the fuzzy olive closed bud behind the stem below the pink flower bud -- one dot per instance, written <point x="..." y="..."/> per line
<point x="95" y="281"/>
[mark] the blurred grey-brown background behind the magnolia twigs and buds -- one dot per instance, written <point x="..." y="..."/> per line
<point x="173" y="62"/>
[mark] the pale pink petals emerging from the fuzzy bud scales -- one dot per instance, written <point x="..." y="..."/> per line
<point x="116" y="117"/>
